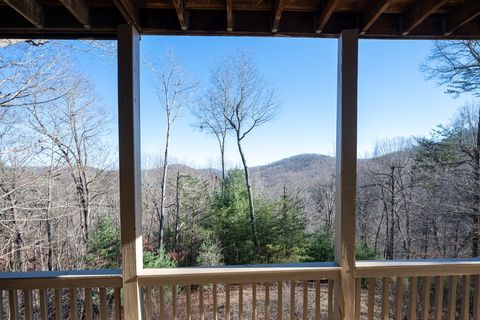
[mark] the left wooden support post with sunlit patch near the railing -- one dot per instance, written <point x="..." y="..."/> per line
<point x="129" y="156"/>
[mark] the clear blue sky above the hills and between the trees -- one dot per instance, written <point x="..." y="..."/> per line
<point x="394" y="97"/>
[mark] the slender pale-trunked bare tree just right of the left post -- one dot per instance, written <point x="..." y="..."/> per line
<point x="175" y="89"/>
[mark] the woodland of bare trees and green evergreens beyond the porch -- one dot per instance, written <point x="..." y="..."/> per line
<point x="416" y="197"/>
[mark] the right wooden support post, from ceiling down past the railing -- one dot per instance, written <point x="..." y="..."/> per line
<point x="346" y="173"/>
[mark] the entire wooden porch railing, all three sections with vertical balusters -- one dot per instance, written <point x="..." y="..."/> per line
<point x="425" y="289"/>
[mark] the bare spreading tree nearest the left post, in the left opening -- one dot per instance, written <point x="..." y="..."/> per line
<point x="73" y="127"/>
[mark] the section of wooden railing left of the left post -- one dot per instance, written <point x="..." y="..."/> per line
<point x="86" y="294"/>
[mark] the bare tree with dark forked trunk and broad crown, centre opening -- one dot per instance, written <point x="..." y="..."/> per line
<point x="247" y="102"/>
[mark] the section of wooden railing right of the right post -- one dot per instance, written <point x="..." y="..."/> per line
<point x="423" y="289"/>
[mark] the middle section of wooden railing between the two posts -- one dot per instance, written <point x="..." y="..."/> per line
<point x="296" y="291"/>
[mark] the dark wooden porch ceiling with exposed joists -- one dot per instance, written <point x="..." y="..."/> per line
<point x="428" y="19"/>
